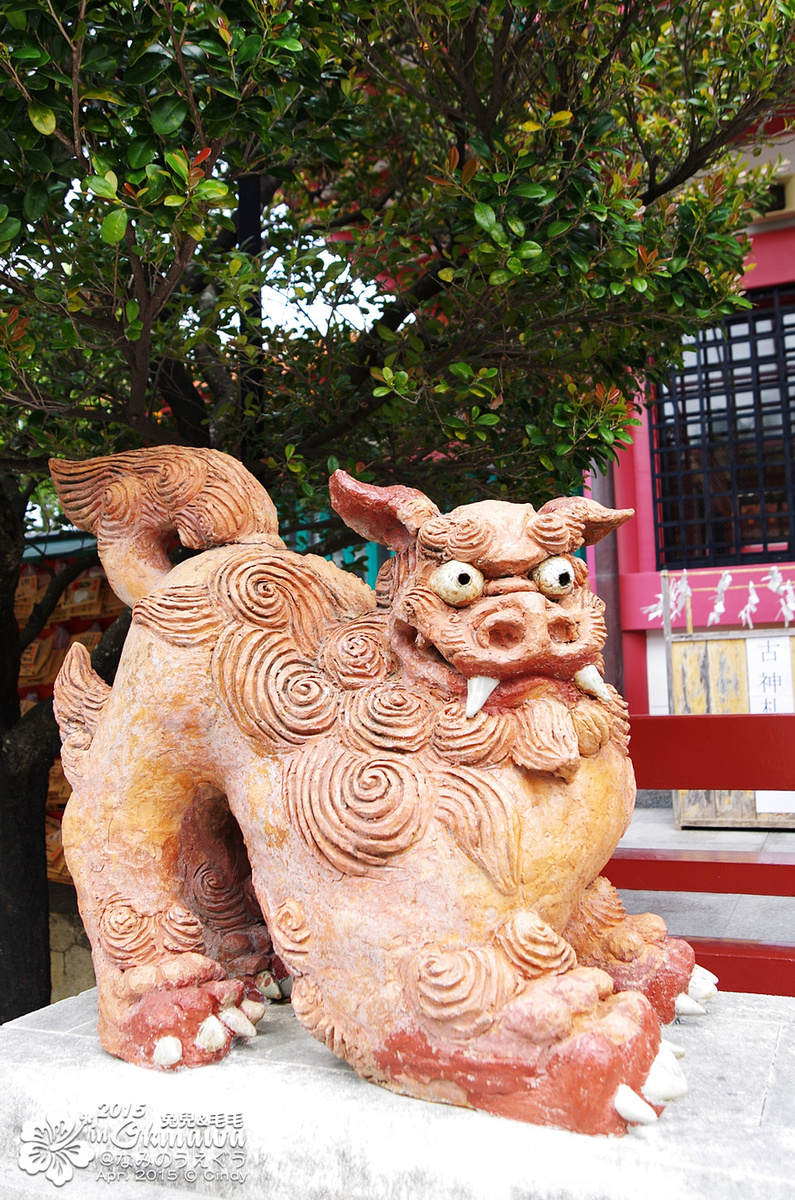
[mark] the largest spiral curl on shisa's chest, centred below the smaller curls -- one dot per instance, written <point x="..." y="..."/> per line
<point x="355" y="813"/>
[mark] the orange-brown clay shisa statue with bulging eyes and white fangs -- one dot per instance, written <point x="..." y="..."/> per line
<point x="402" y="800"/>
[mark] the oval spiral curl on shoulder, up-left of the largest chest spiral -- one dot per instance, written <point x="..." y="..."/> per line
<point x="271" y="692"/>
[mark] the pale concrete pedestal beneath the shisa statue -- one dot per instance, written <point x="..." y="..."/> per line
<point x="283" y="1120"/>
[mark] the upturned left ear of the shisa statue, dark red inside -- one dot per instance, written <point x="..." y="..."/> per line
<point x="391" y="517"/>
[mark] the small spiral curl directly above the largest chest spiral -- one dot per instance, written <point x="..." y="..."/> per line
<point x="386" y="718"/>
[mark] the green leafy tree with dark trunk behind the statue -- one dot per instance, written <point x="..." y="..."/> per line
<point x="534" y="203"/>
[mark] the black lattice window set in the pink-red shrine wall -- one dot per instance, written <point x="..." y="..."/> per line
<point x="722" y="453"/>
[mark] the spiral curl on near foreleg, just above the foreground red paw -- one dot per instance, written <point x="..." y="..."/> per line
<point x="461" y="992"/>
